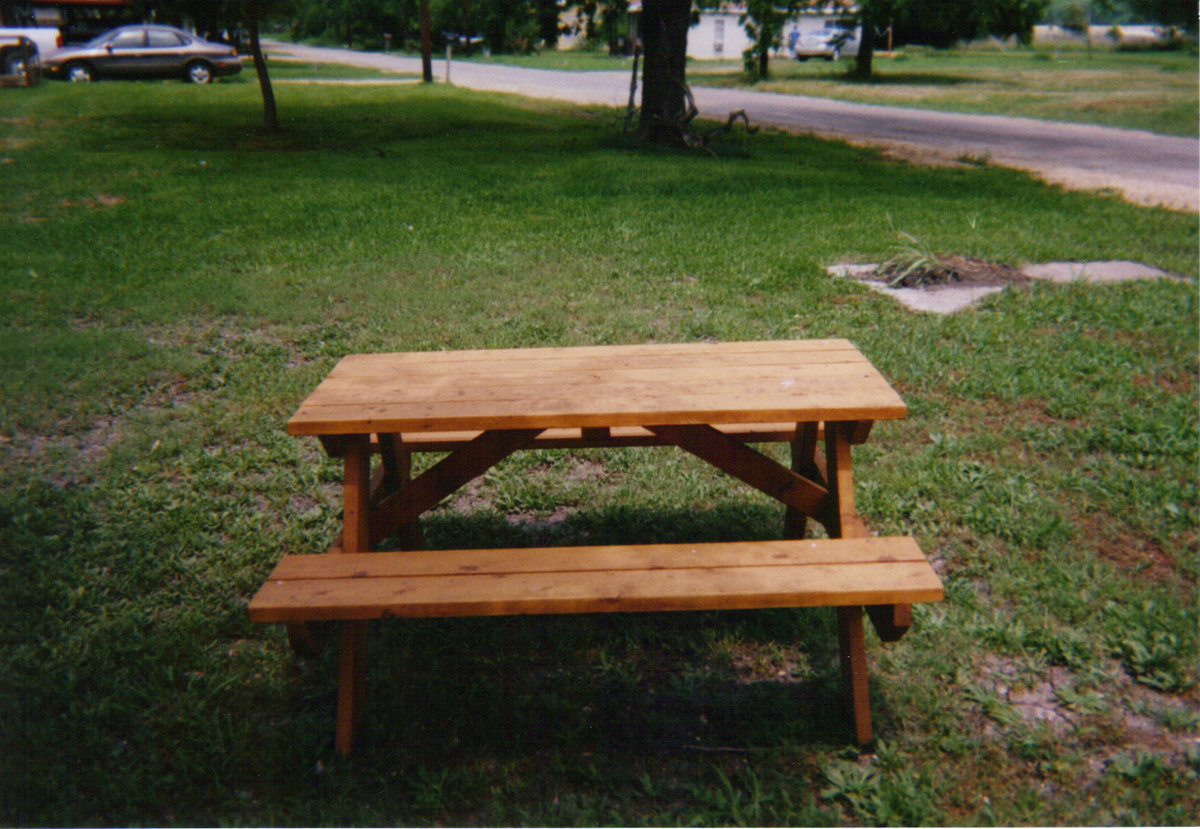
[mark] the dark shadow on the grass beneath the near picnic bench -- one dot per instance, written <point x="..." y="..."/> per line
<point x="598" y="686"/>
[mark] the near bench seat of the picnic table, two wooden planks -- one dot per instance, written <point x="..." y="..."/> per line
<point x="568" y="580"/>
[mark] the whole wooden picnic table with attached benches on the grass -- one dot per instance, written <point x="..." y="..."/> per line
<point x="711" y="400"/>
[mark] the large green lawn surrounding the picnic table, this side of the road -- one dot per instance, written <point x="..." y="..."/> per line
<point x="176" y="283"/>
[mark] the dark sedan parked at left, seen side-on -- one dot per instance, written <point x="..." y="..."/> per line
<point x="145" y="52"/>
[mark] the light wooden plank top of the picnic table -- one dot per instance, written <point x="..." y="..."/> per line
<point x="795" y="381"/>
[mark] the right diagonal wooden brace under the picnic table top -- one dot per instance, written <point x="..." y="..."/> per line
<point x="748" y="465"/>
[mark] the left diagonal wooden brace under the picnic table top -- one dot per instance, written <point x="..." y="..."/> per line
<point x="464" y="465"/>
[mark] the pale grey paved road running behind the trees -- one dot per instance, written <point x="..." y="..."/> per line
<point x="1145" y="167"/>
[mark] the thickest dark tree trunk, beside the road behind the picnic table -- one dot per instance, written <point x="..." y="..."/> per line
<point x="665" y="47"/>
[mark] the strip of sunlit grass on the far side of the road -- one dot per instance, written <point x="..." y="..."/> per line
<point x="1141" y="91"/>
